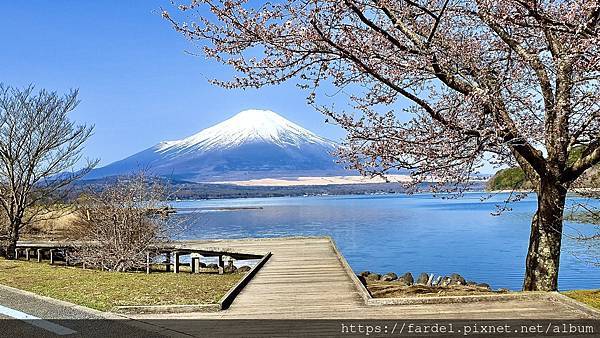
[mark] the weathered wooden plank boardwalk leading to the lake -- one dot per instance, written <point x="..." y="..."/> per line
<point x="305" y="278"/>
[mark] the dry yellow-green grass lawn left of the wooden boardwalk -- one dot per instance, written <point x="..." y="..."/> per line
<point x="103" y="290"/>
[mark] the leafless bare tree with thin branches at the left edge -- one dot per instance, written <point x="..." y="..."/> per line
<point x="39" y="147"/>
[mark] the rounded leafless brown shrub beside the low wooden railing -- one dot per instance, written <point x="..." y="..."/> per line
<point x="122" y="222"/>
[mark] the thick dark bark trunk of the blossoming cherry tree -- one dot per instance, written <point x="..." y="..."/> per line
<point x="541" y="267"/>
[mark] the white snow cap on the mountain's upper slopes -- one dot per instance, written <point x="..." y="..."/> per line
<point x="247" y="126"/>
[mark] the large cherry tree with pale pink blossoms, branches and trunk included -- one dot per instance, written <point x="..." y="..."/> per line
<point x="516" y="80"/>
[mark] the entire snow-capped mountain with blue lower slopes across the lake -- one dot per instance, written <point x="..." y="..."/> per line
<point x="253" y="144"/>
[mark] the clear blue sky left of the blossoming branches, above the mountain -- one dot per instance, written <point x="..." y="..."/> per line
<point x="137" y="84"/>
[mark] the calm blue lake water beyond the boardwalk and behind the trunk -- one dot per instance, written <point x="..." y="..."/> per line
<point x="417" y="233"/>
